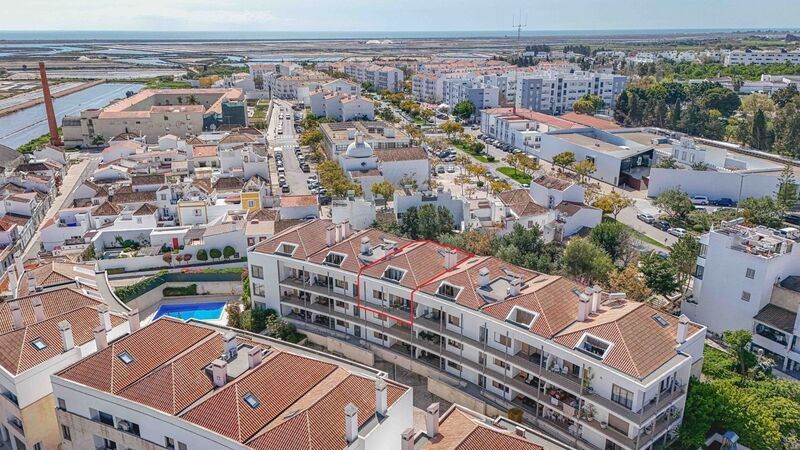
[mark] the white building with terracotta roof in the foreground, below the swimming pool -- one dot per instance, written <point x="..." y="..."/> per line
<point x="187" y="386"/>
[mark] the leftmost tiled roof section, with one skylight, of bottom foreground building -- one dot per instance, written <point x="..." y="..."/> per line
<point x="163" y="340"/>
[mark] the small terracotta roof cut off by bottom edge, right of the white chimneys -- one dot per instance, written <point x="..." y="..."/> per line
<point x="459" y="430"/>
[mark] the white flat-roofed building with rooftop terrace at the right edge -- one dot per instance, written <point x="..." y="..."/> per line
<point x="746" y="279"/>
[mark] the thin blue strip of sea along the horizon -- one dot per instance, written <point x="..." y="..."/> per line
<point x="121" y="35"/>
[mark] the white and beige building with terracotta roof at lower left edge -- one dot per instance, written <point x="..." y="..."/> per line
<point x="43" y="333"/>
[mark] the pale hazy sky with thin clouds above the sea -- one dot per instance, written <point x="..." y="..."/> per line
<point x="395" y="15"/>
